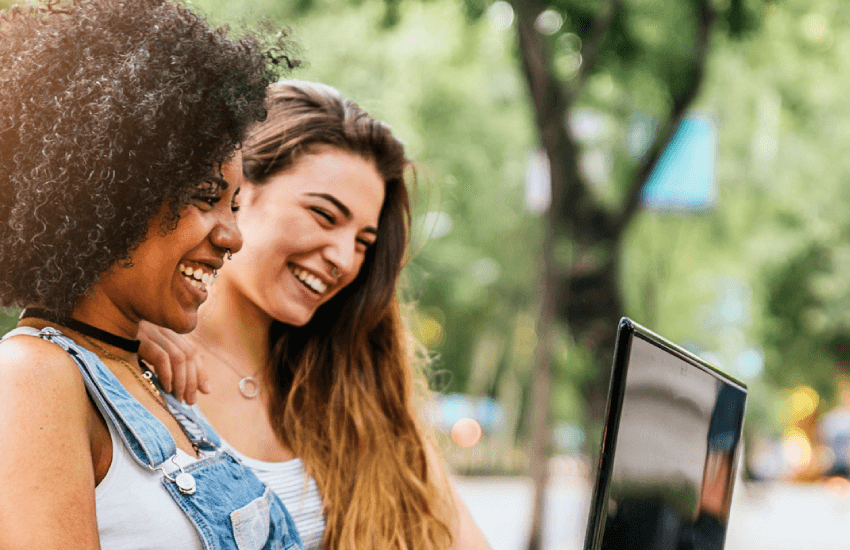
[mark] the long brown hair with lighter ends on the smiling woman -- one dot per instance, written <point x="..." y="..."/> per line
<point x="344" y="382"/>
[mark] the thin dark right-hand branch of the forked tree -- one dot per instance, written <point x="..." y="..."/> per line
<point x="704" y="20"/>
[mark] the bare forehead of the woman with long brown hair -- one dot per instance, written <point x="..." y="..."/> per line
<point x="349" y="178"/>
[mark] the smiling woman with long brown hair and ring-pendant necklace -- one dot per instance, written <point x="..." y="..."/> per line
<point x="308" y="367"/>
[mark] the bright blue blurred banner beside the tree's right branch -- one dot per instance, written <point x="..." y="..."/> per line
<point x="684" y="178"/>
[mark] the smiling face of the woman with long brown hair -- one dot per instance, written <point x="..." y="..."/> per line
<point x="306" y="233"/>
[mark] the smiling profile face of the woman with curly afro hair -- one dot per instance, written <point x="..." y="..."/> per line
<point x="171" y="270"/>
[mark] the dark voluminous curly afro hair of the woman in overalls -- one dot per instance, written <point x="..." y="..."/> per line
<point x="108" y="110"/>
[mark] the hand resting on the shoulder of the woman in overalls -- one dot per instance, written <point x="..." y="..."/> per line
<point x="173" y="358"/>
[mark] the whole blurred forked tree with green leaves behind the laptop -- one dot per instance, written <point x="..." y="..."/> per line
<point x="583" y="290"/>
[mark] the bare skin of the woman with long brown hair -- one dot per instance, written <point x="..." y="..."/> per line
<point x="320" y="214"/>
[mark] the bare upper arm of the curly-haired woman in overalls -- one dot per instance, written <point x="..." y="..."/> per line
<point x="47" y="498"/>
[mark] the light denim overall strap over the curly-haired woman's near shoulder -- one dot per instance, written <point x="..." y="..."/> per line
<point x="149" y="441"/>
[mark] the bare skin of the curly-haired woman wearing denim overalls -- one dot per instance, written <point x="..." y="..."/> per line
<point x="56" y="446"/>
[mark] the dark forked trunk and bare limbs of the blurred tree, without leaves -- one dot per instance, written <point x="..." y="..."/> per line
<point x="585" y="294"/>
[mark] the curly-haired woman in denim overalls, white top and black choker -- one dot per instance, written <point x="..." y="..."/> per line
<point x="120" y="131"/>
